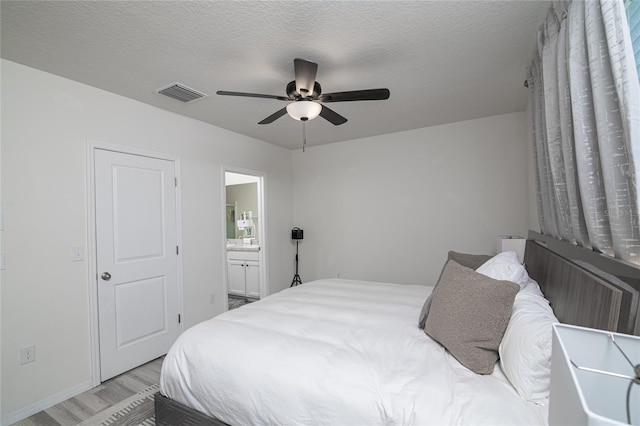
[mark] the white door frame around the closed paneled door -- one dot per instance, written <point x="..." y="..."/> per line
<point x="92" y="261"/>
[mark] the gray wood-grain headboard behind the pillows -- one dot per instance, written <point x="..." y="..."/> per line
<point x="581" y="293"/>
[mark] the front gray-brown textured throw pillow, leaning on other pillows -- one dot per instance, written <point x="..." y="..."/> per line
<point x="469" y="315"/>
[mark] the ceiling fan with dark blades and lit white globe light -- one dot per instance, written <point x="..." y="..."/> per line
<point x="305" y="96"/>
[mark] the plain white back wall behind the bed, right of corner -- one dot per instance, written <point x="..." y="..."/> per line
<point x="388" y="208"/>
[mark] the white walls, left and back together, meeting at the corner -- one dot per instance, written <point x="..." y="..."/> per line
<point x="384" y="208"/>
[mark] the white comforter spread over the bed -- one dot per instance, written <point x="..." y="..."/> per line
<point x="335" y="352"/>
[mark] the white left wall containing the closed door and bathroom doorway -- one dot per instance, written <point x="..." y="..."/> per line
<point x="46" y="121"/>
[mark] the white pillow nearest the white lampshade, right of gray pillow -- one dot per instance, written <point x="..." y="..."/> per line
<point x="525" y="350"/>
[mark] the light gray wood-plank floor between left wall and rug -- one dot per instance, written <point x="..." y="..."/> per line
<point x="87" y="404"/>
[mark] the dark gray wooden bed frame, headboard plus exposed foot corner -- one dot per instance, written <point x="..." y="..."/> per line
<point x="584" y="288"/>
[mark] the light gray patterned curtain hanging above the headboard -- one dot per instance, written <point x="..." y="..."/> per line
<point x="585" y="102"/>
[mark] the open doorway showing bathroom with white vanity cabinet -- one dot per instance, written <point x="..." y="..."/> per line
<point x="244" y="237"/>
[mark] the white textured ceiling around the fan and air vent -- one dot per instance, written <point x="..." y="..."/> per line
<point x="443" y="61"/>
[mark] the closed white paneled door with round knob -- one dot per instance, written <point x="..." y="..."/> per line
<point x="137" y="263"/>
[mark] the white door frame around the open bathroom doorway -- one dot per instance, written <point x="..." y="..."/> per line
<point x="262" y="237"/>
